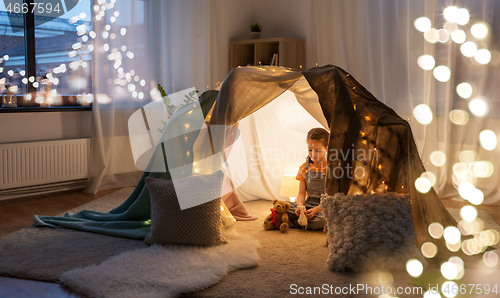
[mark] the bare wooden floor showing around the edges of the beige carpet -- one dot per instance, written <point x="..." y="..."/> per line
<point x="18" y="213"/>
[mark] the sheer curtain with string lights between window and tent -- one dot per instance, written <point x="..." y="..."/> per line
<point x="137" y="45"/>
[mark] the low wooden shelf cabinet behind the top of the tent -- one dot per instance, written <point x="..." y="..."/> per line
<point x="291" y="52"/>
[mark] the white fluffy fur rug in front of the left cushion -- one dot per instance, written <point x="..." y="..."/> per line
<point x="160" y="271"/>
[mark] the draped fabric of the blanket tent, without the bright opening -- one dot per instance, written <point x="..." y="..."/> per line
<point x="371" y="148"/>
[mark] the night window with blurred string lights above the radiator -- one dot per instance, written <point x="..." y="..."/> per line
<point x="45" y="52"/>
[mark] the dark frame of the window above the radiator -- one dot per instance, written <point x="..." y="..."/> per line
<point x="30" y="62"/>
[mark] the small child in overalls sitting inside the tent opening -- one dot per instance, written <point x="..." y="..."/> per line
<point x="312" y="176"/>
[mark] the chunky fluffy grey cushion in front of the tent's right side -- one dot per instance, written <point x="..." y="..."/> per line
<point x="369" y="232"/>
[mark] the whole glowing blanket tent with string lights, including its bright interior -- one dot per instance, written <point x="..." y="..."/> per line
<point x="370" y="149"/>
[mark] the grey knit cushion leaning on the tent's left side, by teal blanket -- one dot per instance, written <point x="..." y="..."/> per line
<point x="199" y="225"/>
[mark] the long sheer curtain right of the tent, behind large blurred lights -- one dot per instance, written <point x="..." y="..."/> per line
<point x="378" y="43"/>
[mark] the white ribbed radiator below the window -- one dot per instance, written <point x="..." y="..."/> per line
<point x="39" y="163"/>
